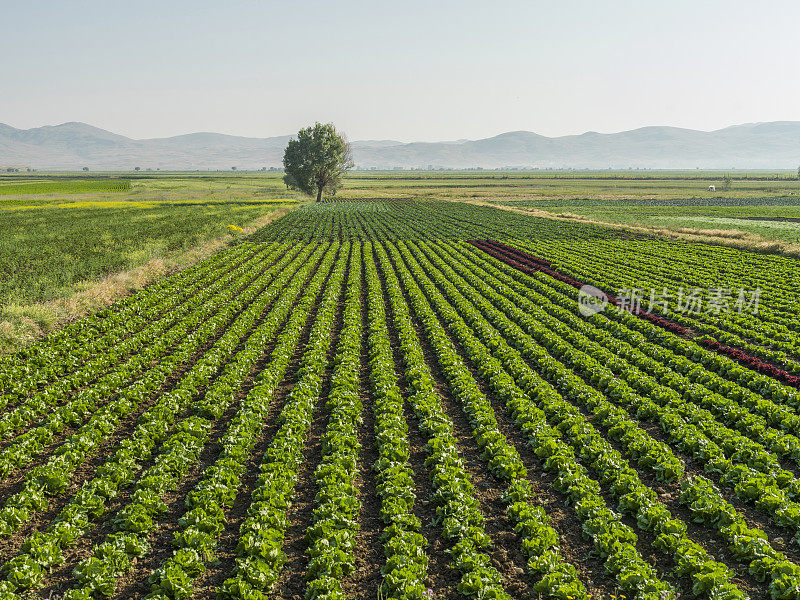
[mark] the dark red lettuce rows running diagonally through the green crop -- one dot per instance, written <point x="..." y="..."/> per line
<point x="529" y="264"/>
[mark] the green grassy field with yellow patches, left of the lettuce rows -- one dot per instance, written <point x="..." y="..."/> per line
<point x="56" y="244"/>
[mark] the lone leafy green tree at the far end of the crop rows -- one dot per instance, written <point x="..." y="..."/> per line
<point x="316" y="160"/>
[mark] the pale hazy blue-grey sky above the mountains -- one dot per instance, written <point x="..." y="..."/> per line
<point x="411" y="70"/>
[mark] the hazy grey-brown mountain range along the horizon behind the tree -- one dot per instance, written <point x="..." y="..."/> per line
<point x="72" y="146"/>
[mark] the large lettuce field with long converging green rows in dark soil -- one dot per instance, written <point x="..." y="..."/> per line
<point x="402" y="399"/>
